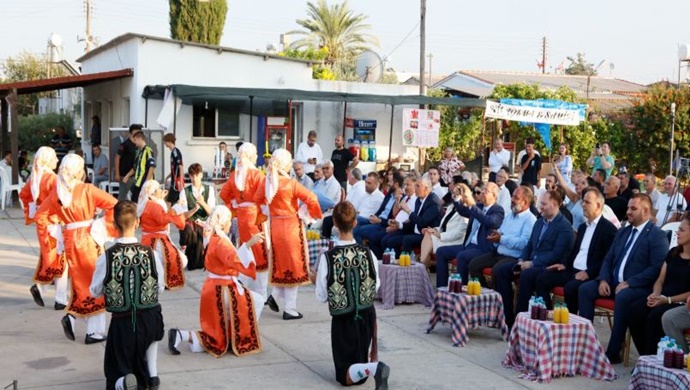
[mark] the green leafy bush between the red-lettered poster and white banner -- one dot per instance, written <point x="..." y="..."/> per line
<point x="461" y="133"/>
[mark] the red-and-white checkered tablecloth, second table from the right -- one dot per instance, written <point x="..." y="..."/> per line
<point x="542" y="350"/>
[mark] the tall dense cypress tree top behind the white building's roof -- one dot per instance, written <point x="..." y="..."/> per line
<point x="198" y="21"/>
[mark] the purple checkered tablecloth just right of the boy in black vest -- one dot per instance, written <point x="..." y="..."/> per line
<point x="404" y="284"/>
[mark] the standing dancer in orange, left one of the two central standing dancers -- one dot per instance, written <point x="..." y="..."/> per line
<point x="237" y="193"/>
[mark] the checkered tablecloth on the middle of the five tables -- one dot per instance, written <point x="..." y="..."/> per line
<point x="465" y="312"/>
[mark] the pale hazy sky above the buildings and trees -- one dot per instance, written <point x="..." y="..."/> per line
<point x="640" y="39"/>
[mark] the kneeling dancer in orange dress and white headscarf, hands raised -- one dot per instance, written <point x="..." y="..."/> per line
<point x="229" y="312"/>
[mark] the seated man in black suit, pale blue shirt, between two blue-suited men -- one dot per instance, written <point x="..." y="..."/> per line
<point x="593" y="241"/>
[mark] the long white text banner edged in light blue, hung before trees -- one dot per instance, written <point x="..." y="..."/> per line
<point x="553" y="116"/>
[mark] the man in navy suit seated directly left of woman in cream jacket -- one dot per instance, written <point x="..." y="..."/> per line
<point x="426" y="213"/>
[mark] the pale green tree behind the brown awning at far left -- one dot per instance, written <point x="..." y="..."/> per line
<point x="25" y="67"/>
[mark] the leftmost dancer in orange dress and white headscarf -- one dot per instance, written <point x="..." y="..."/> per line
<point x="51" y="267"/>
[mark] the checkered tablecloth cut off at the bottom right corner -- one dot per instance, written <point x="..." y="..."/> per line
<point x="650" y="373"/>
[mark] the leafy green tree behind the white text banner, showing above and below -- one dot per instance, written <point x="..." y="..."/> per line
<point x="580" y="139"/>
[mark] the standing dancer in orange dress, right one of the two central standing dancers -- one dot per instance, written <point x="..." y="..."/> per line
<point x="288" y="251"/>
